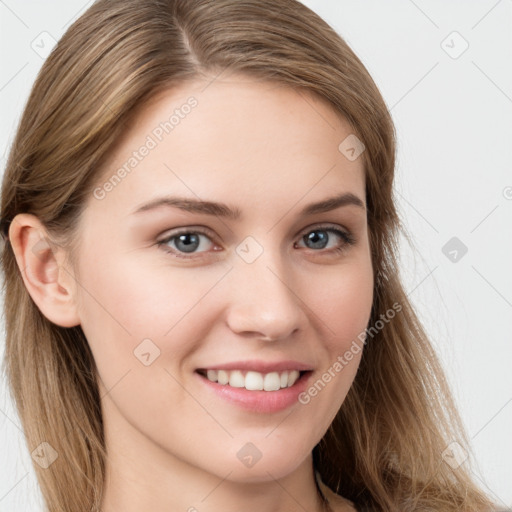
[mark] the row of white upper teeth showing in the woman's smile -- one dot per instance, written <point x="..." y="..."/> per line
<point x="254" y="381"/>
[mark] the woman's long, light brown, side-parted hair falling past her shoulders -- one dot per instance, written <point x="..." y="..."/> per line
<point x="384" y="450"/>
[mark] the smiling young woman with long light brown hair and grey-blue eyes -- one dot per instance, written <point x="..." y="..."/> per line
<point x="203" y="308"/>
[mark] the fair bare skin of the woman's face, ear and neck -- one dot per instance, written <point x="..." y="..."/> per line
<point x="269" y="151"/>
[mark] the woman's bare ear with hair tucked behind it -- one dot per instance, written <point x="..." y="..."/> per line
<point x="49" y="283"/>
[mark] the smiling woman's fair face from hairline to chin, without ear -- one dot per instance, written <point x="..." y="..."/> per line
<point x="230" y="274"/>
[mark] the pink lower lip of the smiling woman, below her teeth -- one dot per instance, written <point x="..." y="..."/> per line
<point x="259" y="401"/>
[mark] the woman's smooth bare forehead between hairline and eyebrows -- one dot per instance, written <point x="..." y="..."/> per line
<point x="256" y="141"/>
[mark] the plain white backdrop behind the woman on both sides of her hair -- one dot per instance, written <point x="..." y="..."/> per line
<point x="453" y="115"/>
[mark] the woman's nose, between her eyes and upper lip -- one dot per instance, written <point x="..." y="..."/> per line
<point x="263" y="302"/>
